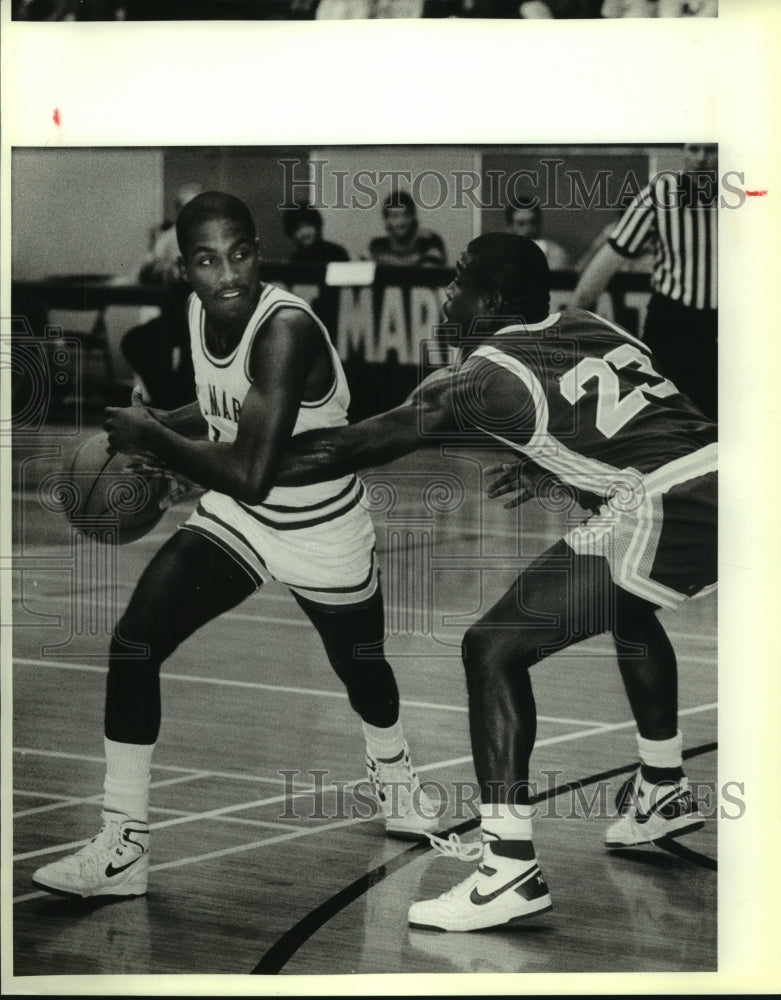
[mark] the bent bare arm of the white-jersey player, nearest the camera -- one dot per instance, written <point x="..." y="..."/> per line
<point x="282" y="357"/>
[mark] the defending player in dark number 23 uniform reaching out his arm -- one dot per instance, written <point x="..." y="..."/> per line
<point x="580" y="405"/>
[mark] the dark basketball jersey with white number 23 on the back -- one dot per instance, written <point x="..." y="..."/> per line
<point x="598" y="403"/>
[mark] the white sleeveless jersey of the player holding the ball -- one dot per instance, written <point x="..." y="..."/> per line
<point x="223" y="383"/>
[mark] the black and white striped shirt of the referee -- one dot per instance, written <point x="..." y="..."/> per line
<point x="682" y="228"/>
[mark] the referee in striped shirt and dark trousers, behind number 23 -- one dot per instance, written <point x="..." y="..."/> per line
<point x="676" y="214"/>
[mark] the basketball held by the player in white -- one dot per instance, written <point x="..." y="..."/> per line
<point x="96" y="490"/>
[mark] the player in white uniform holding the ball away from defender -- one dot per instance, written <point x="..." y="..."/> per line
<point x="265" y="370"/>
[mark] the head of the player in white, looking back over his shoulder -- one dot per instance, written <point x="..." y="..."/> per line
<point x="220" y="255"/>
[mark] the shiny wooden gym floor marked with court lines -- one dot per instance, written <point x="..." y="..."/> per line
<point x="260" y="864"/>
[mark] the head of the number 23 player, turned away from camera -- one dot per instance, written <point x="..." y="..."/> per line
<point x="499" y="276"/>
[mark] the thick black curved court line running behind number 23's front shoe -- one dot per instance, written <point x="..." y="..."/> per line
<point x="285" y="947"/>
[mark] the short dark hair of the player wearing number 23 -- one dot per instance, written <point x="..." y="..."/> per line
<point x="515" y="267"/>
